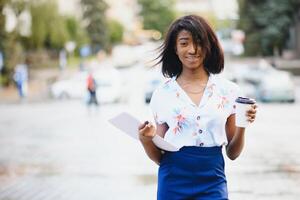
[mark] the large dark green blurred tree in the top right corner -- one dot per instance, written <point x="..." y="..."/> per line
<point x="266" y="24"/>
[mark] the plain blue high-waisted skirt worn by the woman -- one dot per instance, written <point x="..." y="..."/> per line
<point x="192" y="173"/>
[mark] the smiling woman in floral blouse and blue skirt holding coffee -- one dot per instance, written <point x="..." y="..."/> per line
<point x="195" y="111"/>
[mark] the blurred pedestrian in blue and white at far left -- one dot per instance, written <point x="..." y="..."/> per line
<point x="21" y="79"/>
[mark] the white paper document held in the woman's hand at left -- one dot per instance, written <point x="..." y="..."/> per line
<point x="129" y="125"/>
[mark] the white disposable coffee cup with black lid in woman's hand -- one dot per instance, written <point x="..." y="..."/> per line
<point x="242" y="105"/>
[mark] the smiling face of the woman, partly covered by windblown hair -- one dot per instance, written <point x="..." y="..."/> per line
<point x="190" y="57"/>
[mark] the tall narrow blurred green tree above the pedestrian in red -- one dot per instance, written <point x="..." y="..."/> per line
<point x="96" y="23"/>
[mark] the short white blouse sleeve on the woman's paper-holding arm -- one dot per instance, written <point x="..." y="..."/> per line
<point x="157" y="106"/>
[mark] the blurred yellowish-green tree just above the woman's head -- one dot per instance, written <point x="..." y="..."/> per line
<point x="157" y="14"/>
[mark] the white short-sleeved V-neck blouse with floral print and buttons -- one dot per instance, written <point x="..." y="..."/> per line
<point x="190" y="124"/>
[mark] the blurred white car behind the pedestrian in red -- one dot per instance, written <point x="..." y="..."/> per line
<point x="108" y="86"/>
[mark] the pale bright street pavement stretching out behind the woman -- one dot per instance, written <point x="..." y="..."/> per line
<point x="62" y="150"/>
